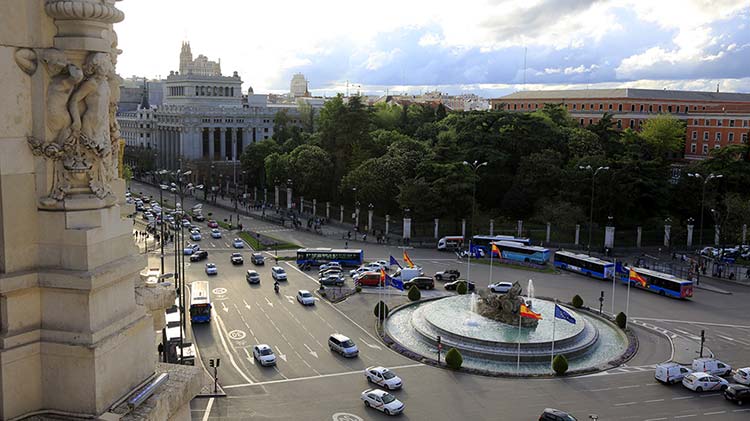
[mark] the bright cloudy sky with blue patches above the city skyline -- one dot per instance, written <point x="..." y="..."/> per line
<point x="477" y="46"/>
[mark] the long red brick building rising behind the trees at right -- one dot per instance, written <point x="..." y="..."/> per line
<point x="713" y="119"/>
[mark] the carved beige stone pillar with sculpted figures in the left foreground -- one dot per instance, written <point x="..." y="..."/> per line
<point x="73" y="339"/>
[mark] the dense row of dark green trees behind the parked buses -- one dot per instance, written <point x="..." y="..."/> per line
<point x="398" y="157"/>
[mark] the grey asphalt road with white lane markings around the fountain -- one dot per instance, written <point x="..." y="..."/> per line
<point x="310" y="382"/>
